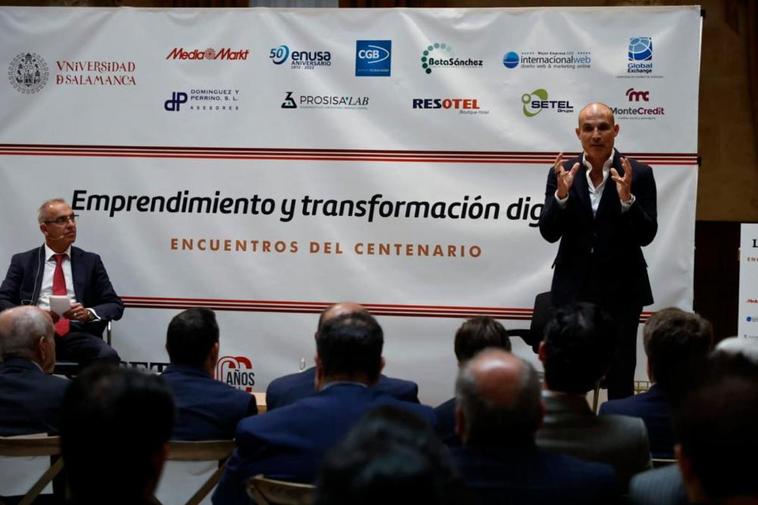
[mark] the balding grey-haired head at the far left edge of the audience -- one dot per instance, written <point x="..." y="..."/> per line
<point x="27" y="332"/>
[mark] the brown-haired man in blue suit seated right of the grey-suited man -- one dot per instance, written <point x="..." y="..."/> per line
<point x="675" y="342"/>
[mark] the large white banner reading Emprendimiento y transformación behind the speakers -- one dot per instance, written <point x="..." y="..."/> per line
<point x="241" y="160"/>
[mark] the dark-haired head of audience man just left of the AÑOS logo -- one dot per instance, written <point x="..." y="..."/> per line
<point x="190" y="336"/>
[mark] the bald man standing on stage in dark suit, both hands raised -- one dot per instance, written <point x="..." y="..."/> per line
<point x="602" y="207"/>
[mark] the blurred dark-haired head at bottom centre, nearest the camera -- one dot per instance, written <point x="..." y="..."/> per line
<point x="390" y="457"/>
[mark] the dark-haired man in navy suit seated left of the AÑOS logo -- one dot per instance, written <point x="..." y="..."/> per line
<point x="207" y="409"/>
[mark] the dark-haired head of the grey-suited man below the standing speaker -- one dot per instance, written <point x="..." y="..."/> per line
<point x="579" y="342"/>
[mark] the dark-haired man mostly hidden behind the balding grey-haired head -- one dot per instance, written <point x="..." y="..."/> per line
<point x="474" y="335"/>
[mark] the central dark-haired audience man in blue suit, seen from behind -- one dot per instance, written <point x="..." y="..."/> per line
<point x="288" y="443"/>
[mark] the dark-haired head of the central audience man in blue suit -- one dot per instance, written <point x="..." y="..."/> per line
<point x="351" y="344"/>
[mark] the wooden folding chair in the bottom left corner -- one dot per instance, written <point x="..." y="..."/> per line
<point x="34" y="445"/>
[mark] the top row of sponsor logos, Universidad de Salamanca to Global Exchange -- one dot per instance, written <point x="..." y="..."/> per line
<point x="29" y="73"/>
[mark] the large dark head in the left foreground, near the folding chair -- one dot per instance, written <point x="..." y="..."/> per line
<point x="113" y="423"/>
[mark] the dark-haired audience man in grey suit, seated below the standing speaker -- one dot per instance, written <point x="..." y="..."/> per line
<point x="576" y="353"/>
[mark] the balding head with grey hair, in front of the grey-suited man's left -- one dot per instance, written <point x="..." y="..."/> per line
<point x="498" y="400"/>
